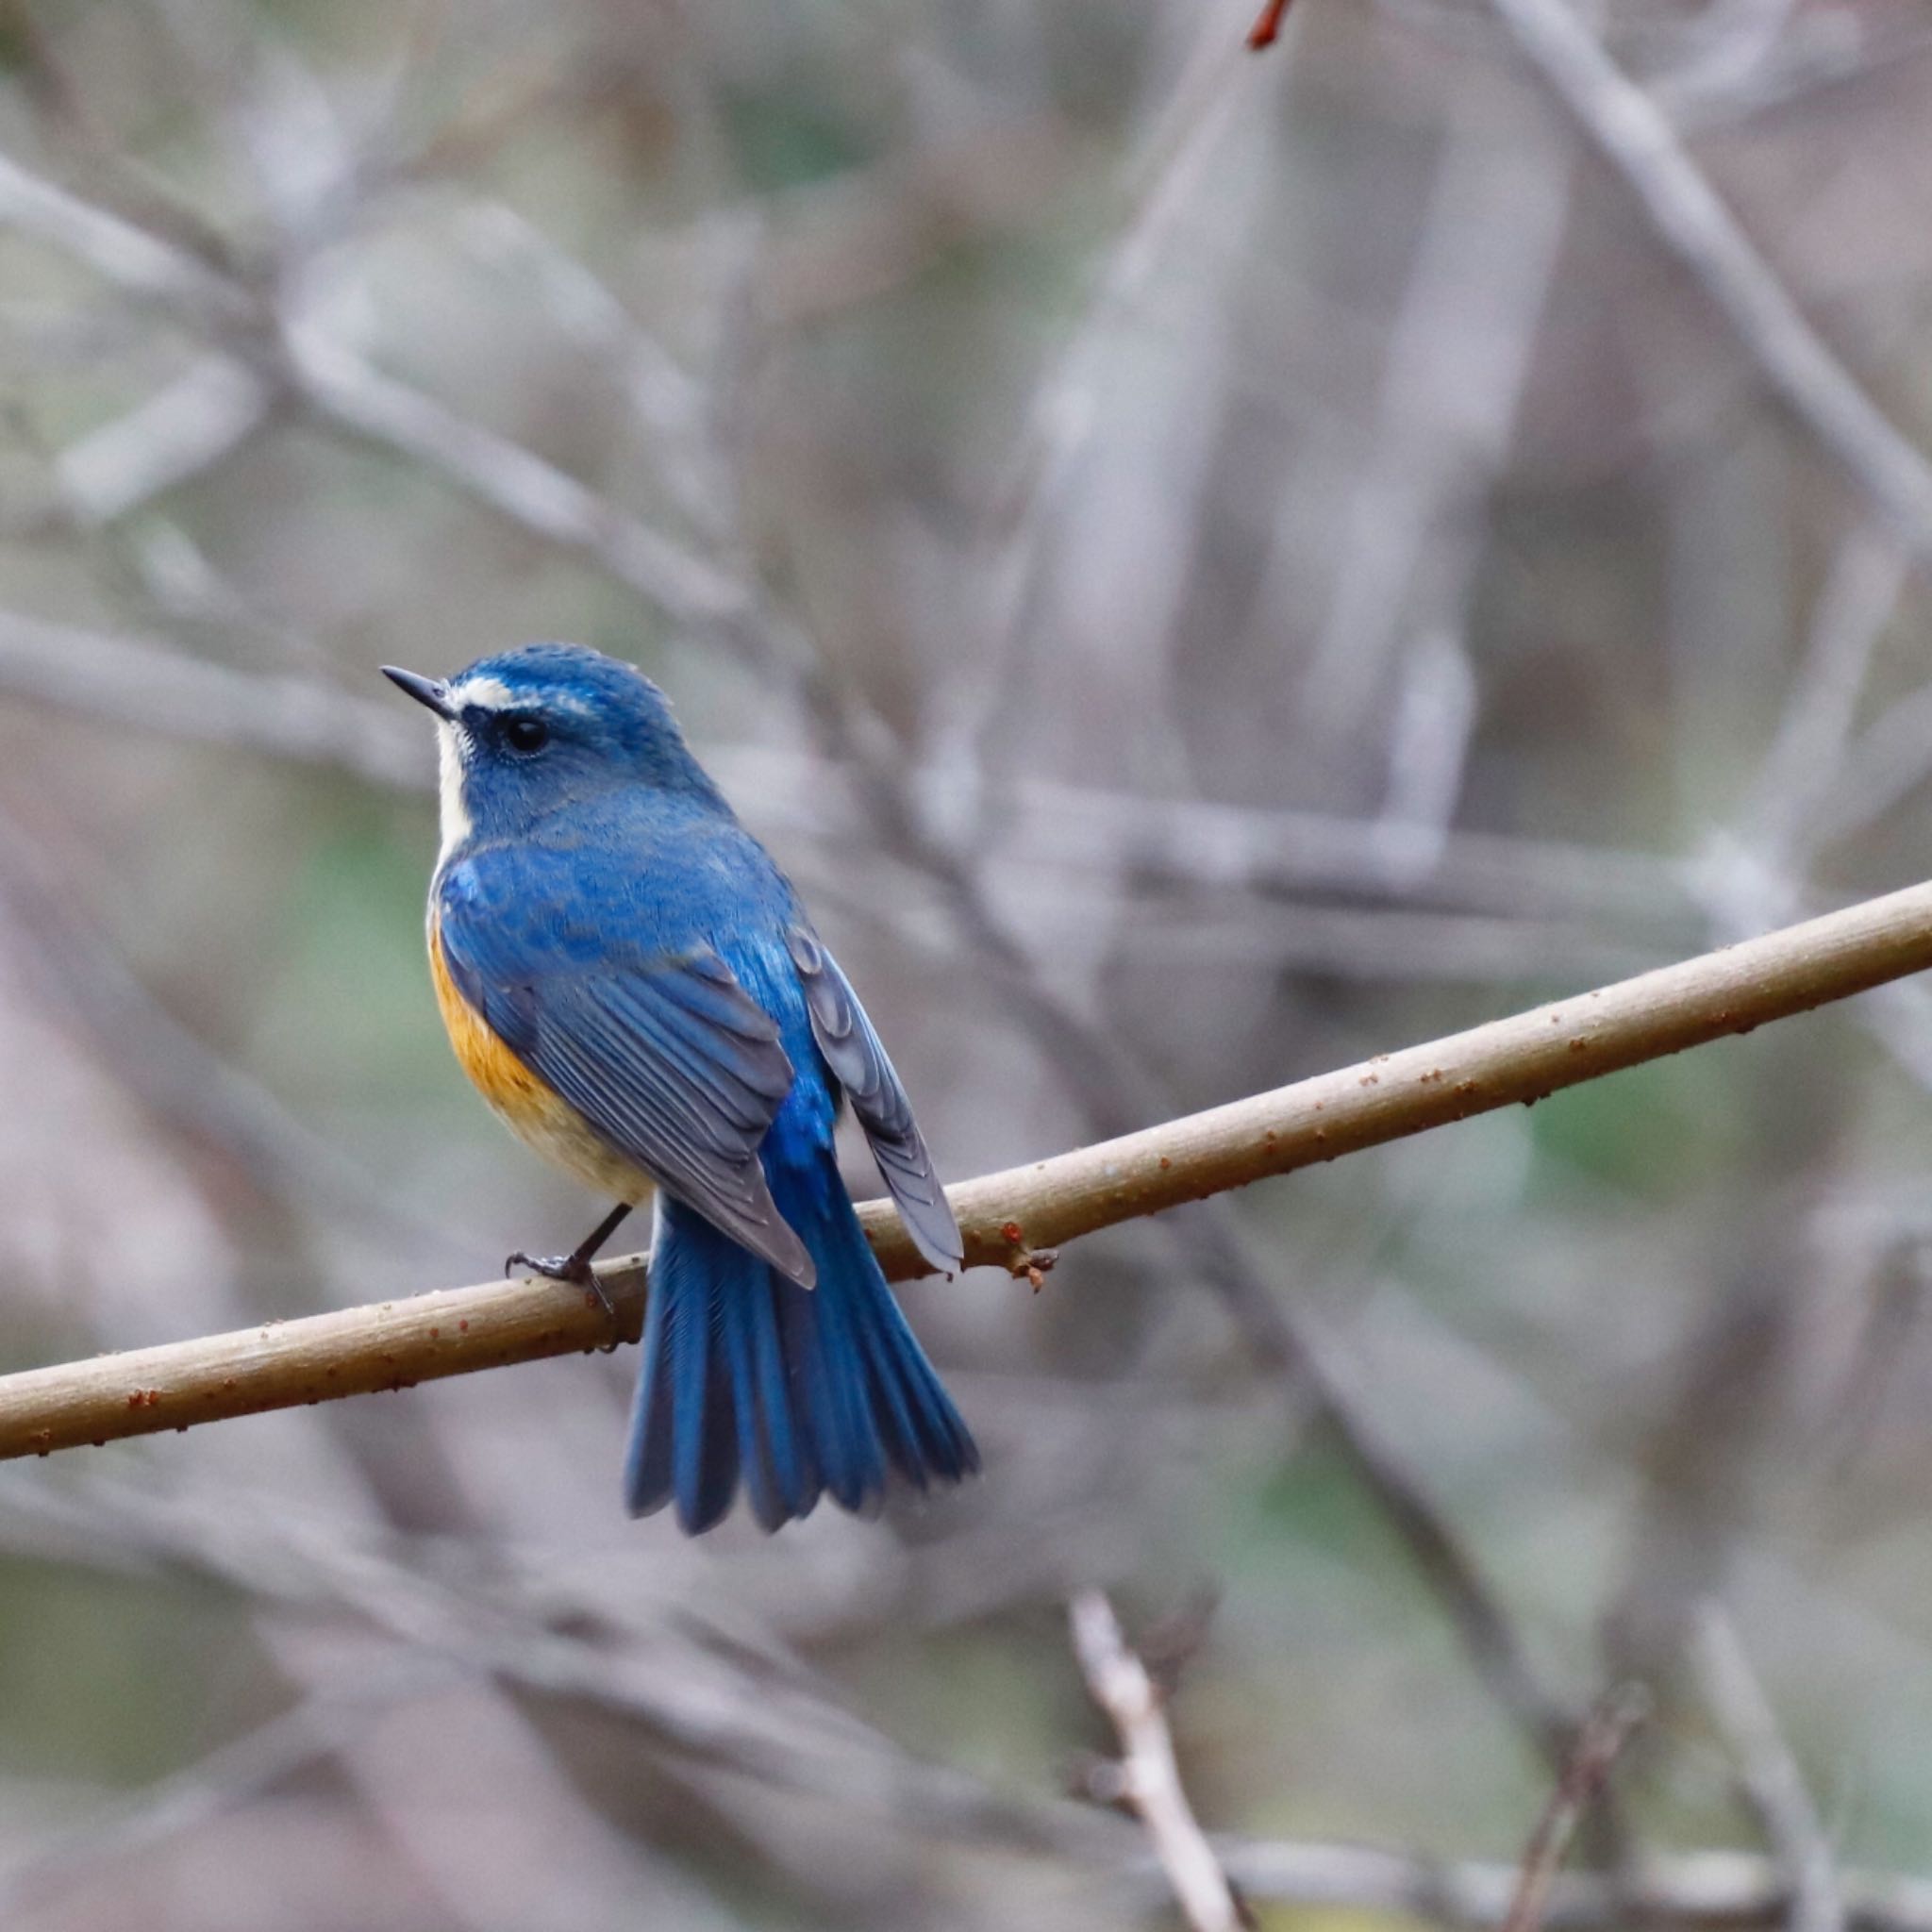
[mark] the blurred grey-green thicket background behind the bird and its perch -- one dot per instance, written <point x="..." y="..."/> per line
<point x="1205" y="567"/>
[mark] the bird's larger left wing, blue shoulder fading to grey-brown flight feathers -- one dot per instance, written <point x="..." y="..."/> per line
<point x="664" y="1054"/>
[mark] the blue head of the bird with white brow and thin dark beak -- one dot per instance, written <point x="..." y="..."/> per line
<point x="546" y="727"/>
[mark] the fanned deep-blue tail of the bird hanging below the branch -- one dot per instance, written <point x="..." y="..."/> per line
<point x="797" y="1390"/>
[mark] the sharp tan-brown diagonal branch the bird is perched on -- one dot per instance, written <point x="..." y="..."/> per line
<point x="1011" y="1220"/>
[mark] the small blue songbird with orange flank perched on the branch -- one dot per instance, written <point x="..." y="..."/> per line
<point x="635" y="988"/>
